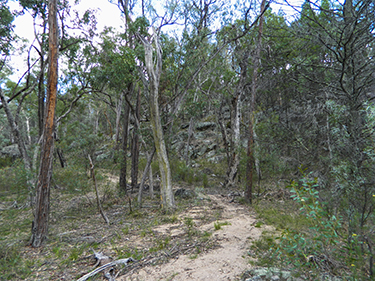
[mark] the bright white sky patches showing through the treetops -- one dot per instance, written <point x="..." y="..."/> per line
<point x="107" y="15"/>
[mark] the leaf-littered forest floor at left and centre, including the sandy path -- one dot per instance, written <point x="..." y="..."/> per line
<point x="208" y="236"/>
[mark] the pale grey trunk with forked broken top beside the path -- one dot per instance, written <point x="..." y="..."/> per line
<point x="167" y="198"/>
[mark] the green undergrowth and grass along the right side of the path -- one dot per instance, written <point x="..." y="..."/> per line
<point x="310" y="240"/>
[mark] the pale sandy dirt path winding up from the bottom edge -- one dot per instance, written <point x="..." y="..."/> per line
<point x="225" y="262"/>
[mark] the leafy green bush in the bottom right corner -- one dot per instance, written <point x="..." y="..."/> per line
<point x="326" y="247"/>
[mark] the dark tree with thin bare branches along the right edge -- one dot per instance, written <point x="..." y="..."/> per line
<point x="350" y="48"/>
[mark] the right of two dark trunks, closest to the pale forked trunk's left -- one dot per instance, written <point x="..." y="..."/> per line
<point x="135" y="143"/>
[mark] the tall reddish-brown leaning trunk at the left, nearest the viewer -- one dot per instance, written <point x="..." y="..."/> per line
<point x="40" y="223"/>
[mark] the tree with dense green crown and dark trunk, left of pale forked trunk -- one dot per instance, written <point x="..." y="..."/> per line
<point x="114" y="71"/>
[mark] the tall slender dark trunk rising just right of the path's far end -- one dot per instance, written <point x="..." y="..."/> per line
<point x="254" y="85"/>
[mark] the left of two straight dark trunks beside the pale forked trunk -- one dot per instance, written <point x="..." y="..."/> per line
<point x="123" y="182"/>
